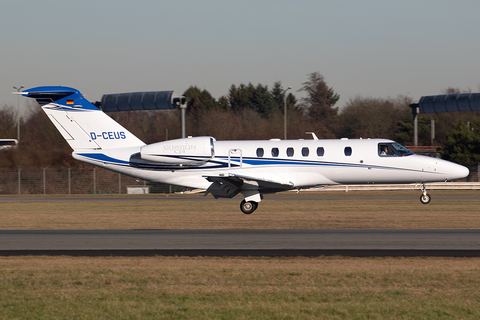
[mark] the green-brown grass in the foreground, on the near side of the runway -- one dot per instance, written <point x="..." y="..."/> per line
<point x="239" y="288"/>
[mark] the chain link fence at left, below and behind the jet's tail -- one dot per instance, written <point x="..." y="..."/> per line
<point x="75" y="181"/>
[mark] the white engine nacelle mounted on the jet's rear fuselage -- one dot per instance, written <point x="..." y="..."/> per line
<point x="180" y="152"/>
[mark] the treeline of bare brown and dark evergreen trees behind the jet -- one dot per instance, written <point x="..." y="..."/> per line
<point x="254" y="112"/>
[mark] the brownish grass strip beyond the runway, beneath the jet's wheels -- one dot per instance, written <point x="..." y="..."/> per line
<point x="379" y="210"/>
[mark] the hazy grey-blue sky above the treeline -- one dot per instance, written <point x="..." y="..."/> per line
<point x="368" y="48"/>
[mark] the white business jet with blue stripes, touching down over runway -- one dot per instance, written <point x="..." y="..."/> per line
<point x="227" y="168"/>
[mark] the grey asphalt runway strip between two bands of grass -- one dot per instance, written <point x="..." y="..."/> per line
<point x="242" y="242"/>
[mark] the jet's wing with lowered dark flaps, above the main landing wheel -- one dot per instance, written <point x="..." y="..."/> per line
<point x="229" y="186"/>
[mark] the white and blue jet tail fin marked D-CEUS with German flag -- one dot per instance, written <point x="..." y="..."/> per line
<point x="83" y="125"/>
